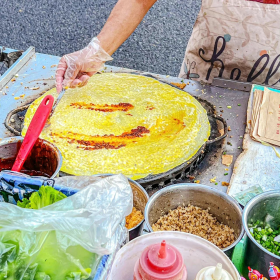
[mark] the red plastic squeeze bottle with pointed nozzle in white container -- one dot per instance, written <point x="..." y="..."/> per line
<point x="160" y="262"/>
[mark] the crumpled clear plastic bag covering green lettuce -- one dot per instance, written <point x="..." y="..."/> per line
<point x="66" y="239"/>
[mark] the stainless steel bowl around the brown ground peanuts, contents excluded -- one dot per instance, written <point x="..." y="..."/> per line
<point x="222" y="206"/>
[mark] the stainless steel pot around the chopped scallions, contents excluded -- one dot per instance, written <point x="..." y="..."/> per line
<point x="256" y="256"/>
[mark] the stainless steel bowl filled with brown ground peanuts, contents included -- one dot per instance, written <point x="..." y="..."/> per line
<point x="199" y="210"/>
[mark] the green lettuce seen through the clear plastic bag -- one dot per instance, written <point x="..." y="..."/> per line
<point x="43" y="256"/>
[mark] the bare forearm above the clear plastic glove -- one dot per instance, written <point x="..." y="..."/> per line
<point x="125" y="17"/>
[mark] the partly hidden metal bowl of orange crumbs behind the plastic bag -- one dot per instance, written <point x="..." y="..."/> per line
<point x="140" y="199"/>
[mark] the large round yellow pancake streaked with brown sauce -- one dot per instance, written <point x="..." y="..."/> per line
<point x="124" y="123"/>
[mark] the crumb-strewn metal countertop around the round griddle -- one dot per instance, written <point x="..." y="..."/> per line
<point x="37" y="76"/>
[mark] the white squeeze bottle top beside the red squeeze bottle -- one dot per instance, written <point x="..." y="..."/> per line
<point x="213" y="273"/>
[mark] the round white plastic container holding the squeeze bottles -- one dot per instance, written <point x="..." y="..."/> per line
<point x="197" y="253"/>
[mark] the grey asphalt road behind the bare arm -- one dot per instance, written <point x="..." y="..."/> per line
<point x="58" y="27"/>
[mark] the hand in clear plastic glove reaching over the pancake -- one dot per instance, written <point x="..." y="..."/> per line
<point x="76" y="68"/>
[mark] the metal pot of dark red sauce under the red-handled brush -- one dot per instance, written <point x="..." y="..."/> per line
<point x="45" y="156"/>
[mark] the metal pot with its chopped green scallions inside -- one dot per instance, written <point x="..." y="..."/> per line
<point x="261" y="221"/>
